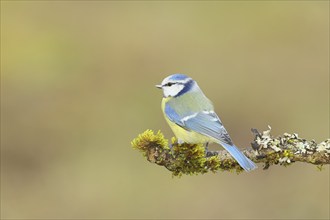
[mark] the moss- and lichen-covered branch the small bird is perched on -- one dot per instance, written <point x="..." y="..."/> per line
<point x="192" y="159"/>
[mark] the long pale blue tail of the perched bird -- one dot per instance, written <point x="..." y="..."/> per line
<point x="242" y="160"/>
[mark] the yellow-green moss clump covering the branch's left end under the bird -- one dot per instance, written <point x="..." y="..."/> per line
<point x="181" y="159"/>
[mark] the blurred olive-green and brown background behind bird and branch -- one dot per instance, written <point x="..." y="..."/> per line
<point x="77" y="85"/>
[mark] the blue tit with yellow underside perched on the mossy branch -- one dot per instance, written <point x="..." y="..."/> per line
<point x="191" y="116"/>
